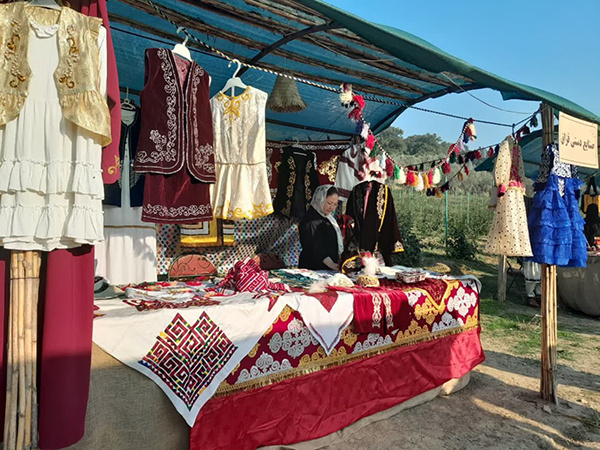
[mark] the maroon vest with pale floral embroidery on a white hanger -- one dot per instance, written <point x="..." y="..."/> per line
<point x="176" y="127"/>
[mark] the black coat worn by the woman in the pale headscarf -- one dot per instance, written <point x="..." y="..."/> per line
<point x="319" y="241"/>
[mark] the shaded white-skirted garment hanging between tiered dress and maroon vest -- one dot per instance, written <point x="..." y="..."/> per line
<point x="128" y="253"/>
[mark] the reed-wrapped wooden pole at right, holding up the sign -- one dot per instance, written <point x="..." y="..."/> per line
<point x="549" y="296"/>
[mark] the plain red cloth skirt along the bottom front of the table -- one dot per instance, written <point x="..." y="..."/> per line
<point x="318" y="404"/>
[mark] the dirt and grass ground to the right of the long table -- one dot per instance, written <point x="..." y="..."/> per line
<point x="501" y="407"/>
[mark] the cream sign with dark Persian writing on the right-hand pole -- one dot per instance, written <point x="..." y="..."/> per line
<point x="577" y="141"/>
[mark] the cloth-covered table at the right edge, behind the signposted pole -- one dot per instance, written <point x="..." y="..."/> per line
<point x="579" y="288"/>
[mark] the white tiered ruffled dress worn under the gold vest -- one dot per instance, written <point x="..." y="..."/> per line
<point x="51" y="185"/>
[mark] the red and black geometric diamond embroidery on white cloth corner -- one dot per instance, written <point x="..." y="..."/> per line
<point x="187" y="358"/>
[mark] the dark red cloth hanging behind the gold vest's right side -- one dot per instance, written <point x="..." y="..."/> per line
<point x="110" y="156"/>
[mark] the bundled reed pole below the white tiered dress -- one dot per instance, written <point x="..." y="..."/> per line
<point x="20" y="422"/>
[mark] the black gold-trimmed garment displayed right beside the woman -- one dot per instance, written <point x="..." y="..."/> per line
<point x="371" y="206"/>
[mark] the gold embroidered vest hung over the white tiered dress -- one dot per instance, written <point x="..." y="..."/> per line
<point x="77" y="76"/>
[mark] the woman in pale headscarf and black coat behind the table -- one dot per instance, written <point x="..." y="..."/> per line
<point x="320" y="234"/>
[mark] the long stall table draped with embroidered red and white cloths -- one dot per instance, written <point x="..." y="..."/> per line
<point x="291" y="385"/>
